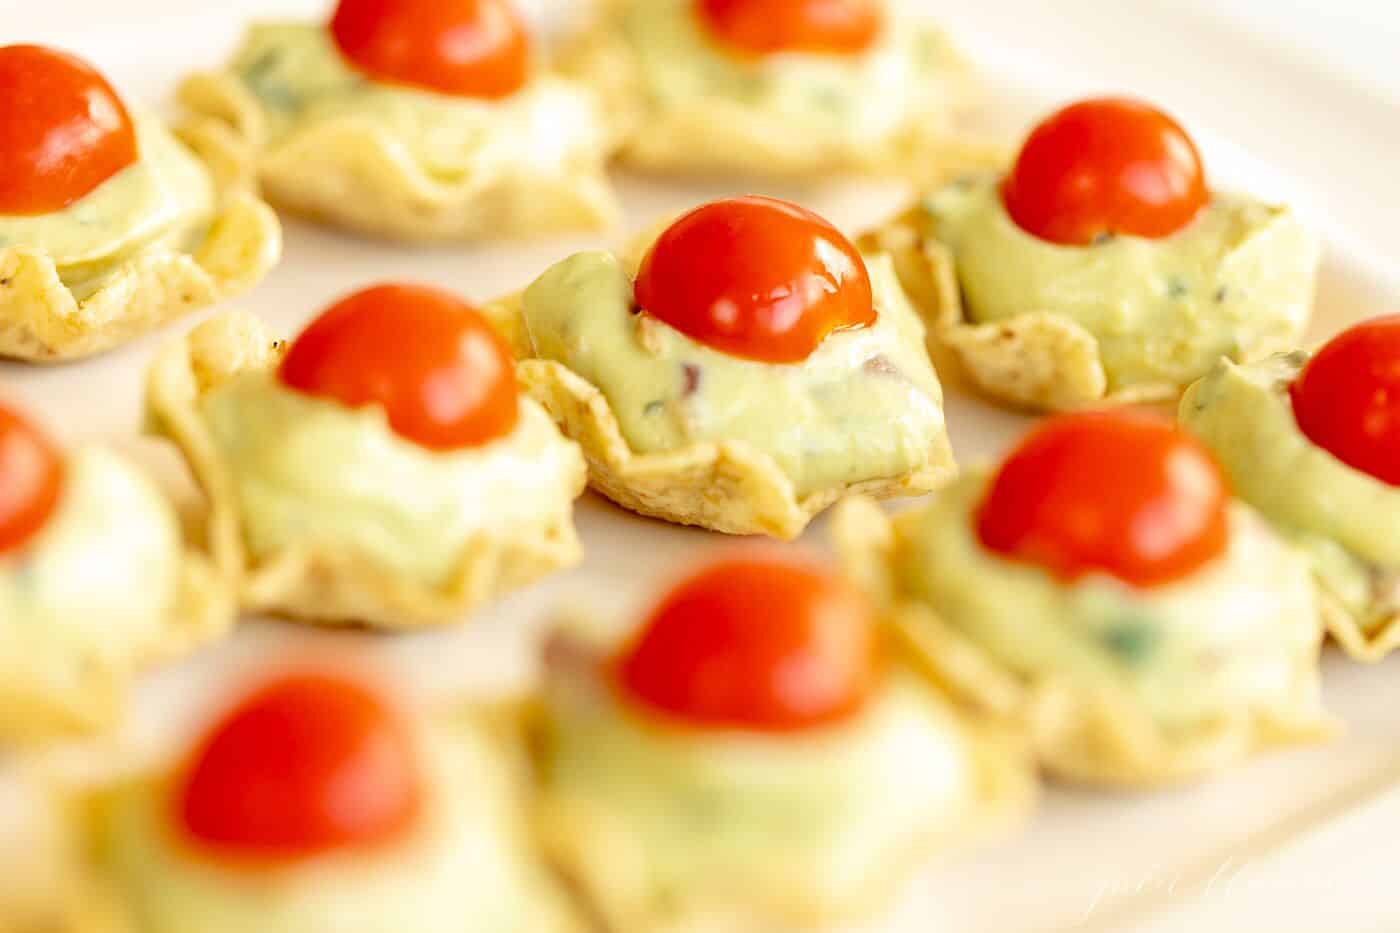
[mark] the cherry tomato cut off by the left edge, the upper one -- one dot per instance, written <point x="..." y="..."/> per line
<point x="65" y="131"/>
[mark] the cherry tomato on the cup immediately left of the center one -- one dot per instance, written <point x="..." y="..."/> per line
<point x="442" y="373"/>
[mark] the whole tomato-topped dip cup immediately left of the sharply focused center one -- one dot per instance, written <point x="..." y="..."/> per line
<point x="381" y="470"/>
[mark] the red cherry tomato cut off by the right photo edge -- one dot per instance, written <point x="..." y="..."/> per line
<point x="1347" y="399"/>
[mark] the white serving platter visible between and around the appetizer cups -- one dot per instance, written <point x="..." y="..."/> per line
<point x="1297" y="841"/>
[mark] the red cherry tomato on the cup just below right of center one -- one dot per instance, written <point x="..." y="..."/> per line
<point x="1125" y="494"/>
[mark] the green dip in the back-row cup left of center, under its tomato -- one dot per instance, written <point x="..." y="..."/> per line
<point x="300" y="79"/>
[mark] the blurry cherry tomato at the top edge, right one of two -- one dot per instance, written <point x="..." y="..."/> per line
<point x="821" y="27"/>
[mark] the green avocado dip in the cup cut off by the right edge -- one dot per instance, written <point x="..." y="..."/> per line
<point x="1345" y="519"/>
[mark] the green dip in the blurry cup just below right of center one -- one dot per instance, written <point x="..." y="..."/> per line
<point x="1238" y="635"/>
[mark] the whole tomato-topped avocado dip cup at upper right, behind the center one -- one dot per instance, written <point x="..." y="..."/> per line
<point x="1101" y="267"/>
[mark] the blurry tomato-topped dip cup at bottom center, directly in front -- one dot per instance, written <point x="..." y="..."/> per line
<point x="755" y="760"/>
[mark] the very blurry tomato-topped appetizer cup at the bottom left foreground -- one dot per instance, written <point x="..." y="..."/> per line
<point x="316" y="805"/>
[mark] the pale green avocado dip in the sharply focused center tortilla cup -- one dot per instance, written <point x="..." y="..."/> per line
<point x="866" y="406"/>
